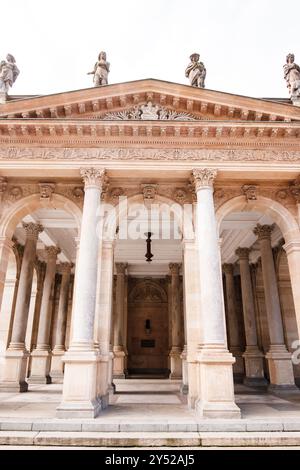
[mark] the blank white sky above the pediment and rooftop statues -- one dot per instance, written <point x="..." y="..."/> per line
<point x="243" y="43"/>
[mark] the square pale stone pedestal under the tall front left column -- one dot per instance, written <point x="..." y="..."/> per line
<point x="80" y="399"/>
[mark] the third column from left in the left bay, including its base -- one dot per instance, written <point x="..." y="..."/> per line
<point x="57" y="365"/>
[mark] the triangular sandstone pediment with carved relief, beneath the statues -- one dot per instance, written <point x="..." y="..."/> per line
<point x="149" y="100"/>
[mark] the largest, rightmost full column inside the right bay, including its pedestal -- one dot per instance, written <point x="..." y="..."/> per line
<point x="279" y="359"/>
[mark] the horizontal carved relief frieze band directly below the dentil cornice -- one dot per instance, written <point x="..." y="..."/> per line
<point x="203" y="155"/>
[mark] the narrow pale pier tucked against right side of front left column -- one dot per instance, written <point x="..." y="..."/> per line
<point x="104" y="314"/>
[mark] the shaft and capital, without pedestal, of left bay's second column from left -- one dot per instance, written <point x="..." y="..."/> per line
<point x="43" y="337"/>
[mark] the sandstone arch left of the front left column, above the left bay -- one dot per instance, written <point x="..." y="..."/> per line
<point x="17" y="211"/>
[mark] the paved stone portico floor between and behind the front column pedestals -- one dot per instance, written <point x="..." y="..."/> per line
<point x="147" y="399"/>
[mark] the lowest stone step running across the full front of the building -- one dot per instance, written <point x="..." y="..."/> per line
<point x="150" y="439"/>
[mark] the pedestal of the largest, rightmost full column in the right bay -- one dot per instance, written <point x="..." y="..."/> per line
<point x="280" y="366"/>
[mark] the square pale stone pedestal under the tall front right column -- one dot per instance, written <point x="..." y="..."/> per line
<point x="216" y="385"/>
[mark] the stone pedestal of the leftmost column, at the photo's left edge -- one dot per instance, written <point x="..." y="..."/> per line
<point x="14" y="371"/>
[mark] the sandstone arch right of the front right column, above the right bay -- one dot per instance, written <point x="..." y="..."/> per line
<point x="281" y="216"/>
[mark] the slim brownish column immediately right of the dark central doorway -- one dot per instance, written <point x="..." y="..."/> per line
<point x="176" y="348"/>
